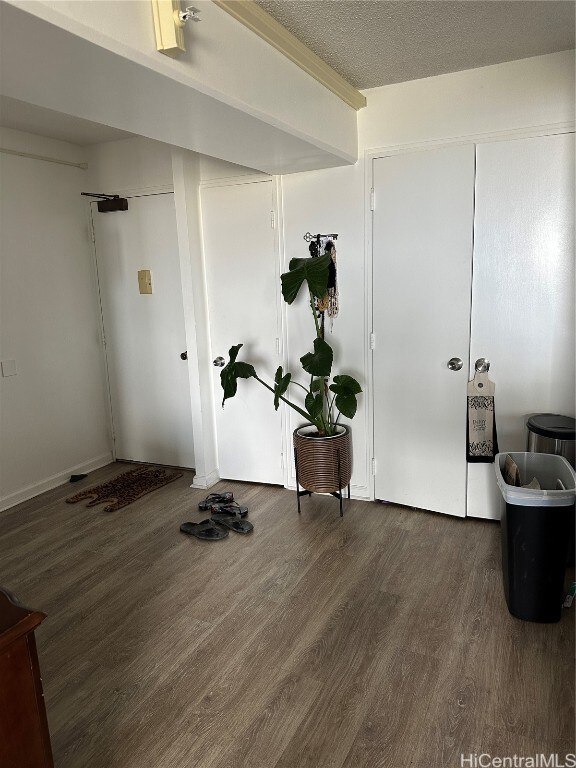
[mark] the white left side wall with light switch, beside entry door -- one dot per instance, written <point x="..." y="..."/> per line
<point x="54" y="415"/>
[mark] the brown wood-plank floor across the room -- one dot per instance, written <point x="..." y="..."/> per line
<point x="380" y="639"/>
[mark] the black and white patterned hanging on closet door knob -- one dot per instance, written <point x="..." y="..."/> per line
<point x="482" y="440"/>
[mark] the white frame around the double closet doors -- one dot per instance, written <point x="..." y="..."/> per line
<point x="369" y="156"/>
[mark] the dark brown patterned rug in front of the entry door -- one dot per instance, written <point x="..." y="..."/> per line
<point x="126" y="488"/>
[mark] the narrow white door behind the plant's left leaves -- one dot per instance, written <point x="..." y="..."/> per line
<point x="243" y="294"/>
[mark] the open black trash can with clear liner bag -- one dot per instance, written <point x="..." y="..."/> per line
<point x="535" y="534"/>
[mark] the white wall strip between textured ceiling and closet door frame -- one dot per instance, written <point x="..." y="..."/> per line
<point x="500" y="98"/>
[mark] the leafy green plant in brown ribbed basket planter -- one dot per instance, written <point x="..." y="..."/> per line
<point x="323" y="449"/>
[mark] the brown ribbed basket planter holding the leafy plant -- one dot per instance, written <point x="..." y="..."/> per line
<point x="323" y="464"/>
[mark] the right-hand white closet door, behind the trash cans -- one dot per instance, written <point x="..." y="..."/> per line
<point x="523" y="292"/>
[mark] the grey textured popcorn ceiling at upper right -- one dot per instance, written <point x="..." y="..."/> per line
<point x="375" y="42"/>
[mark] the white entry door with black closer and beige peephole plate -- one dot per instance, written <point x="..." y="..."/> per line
<point x="149" y="383"/>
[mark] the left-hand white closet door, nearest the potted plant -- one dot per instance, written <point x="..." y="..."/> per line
<point x="422" y="260"/>
